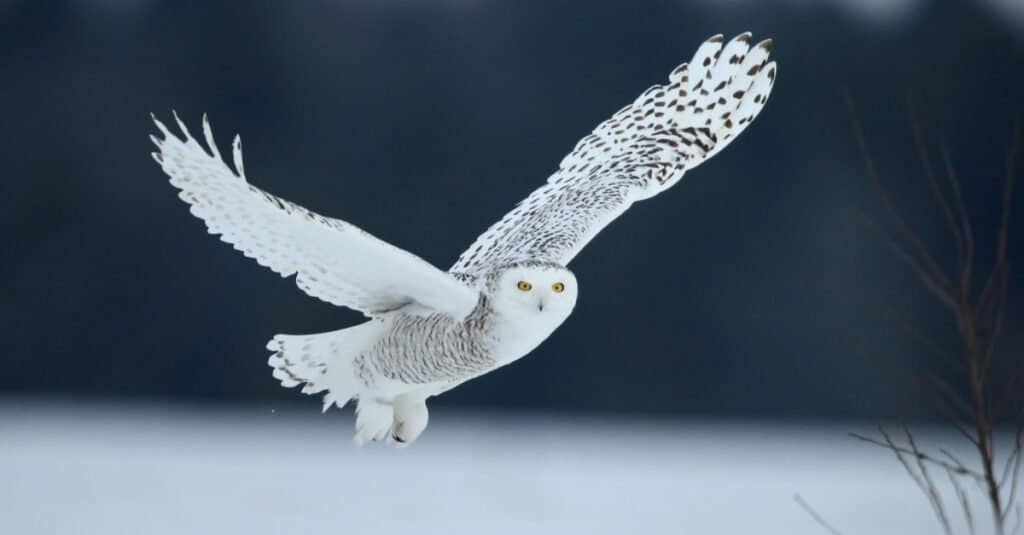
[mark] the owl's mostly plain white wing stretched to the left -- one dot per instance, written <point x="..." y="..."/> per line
<point x="334" y="261"/>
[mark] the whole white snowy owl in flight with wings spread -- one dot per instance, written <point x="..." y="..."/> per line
<point x="431" y="331"/>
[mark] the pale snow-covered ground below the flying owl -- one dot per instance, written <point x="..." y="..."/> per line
<point x="112" y="470"/>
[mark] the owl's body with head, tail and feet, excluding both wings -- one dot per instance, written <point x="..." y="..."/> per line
<point x="395" y="362"/>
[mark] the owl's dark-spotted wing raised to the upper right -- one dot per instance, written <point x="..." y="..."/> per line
<point x="642" y="151"/>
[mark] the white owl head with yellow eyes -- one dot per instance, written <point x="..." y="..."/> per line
<point x="534" y="290"/>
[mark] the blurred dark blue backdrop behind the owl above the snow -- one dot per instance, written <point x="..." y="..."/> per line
<point x="745" y="292"/>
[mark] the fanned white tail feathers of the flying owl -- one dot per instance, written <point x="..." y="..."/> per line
<point x="322" y="363"/>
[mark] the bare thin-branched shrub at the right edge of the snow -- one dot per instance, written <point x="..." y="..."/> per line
<point x="979" y="318"/>
